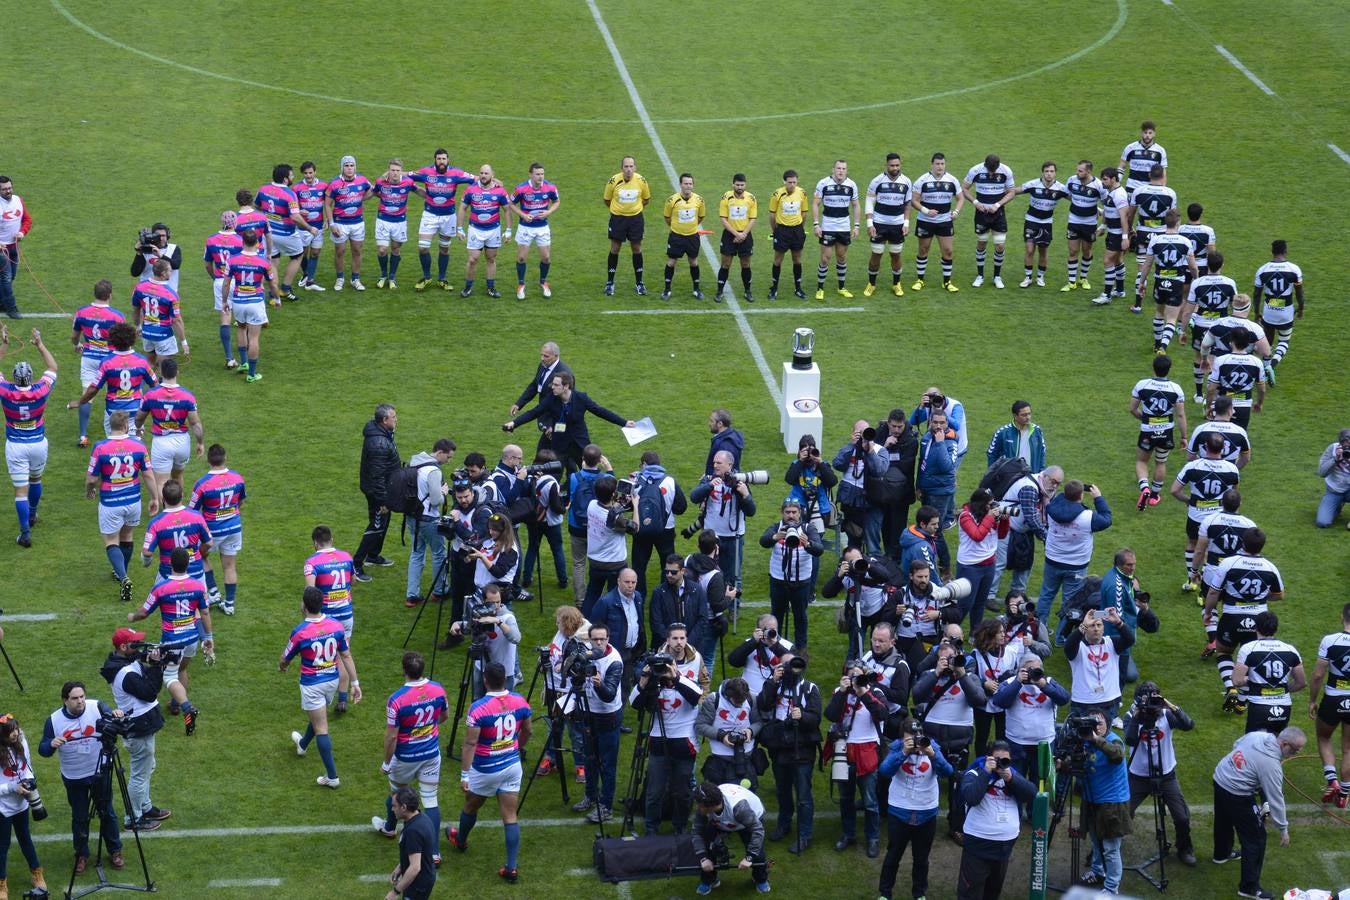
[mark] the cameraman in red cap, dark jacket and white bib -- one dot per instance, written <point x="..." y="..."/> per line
<point x="137" y="675"/>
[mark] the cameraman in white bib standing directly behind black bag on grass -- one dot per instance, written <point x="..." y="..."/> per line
<point x="673" y="702"/>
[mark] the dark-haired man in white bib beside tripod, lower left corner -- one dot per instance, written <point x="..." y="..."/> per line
<point x="72" y="732"/>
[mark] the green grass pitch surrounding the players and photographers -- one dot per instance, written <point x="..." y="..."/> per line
<point x="122" y="117"/>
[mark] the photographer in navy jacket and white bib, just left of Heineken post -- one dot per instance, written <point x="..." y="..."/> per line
<point x="913" y="768"/>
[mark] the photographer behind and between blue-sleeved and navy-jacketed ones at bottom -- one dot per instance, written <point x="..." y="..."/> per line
<point x="950" y="696"/>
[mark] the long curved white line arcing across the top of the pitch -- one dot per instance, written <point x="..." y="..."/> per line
<point x="1123" y="14"/>
